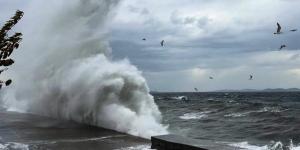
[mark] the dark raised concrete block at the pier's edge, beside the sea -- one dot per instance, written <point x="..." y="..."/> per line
<point x="176" y="142"/>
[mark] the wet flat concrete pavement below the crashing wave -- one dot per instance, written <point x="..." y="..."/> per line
<point x="39" y="133"/>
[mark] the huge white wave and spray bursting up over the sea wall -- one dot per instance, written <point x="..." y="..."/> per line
<point x="70" y="74"/>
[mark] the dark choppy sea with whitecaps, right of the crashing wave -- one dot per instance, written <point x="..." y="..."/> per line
<point x="246" y="120"/>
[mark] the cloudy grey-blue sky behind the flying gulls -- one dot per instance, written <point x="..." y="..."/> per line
<point x="228" y="40"/>
